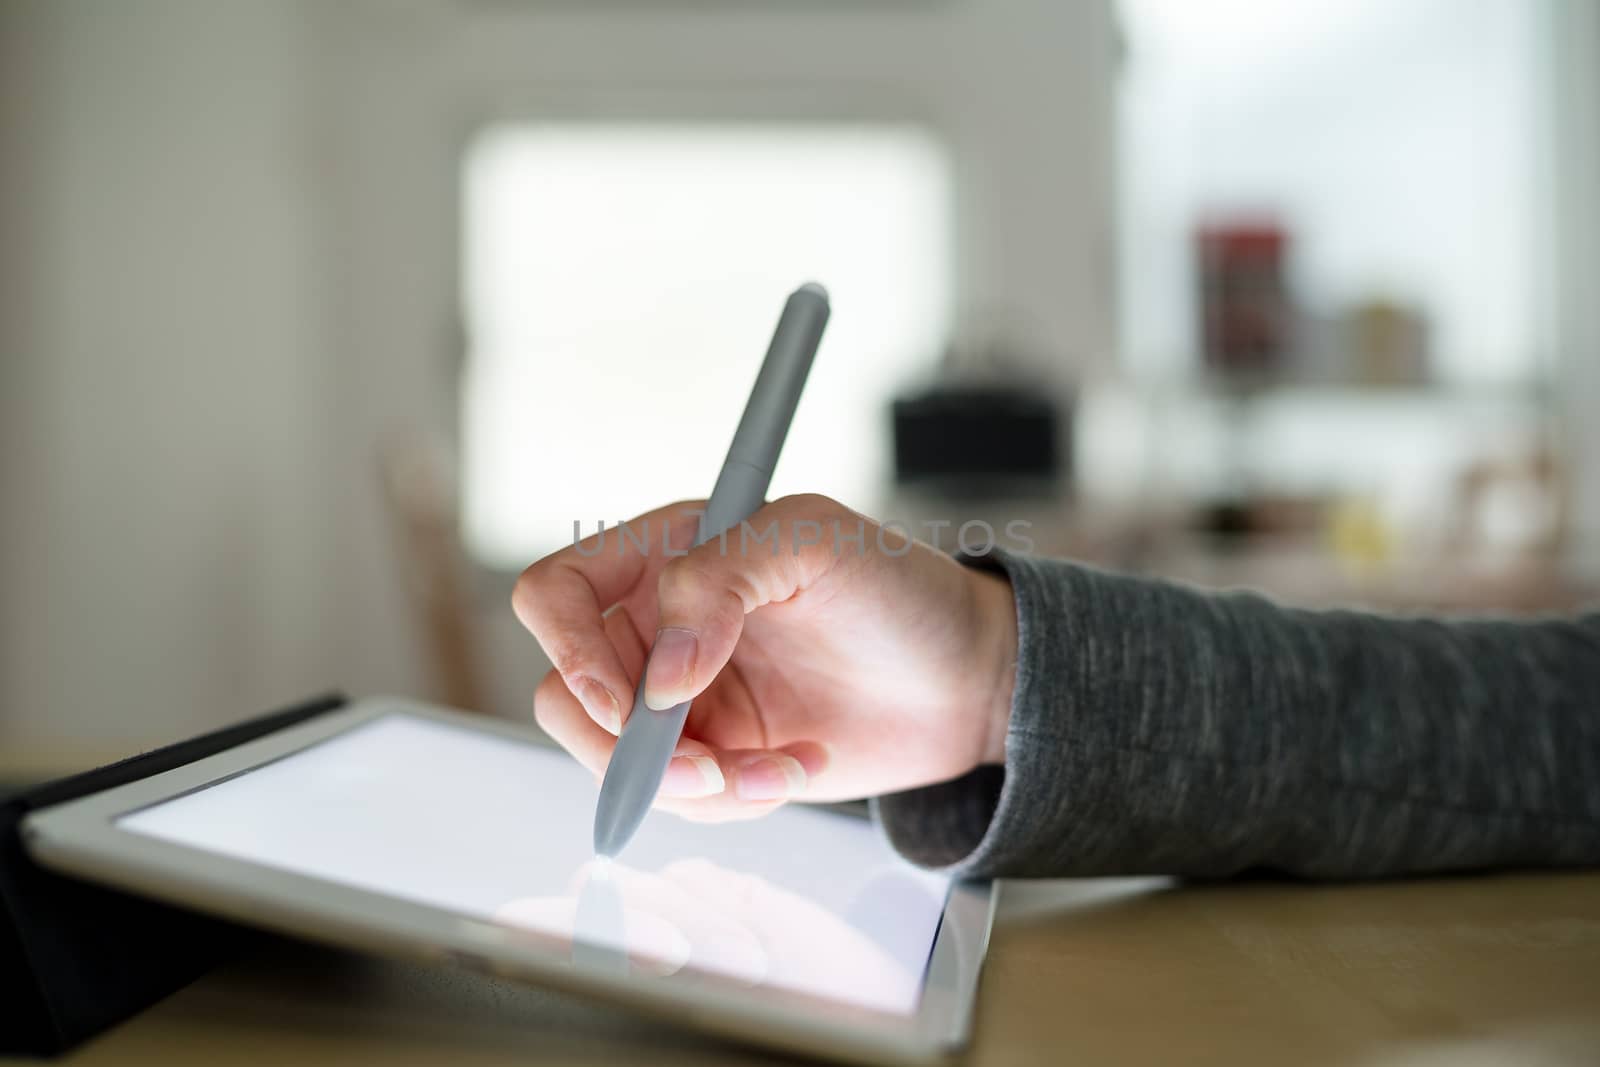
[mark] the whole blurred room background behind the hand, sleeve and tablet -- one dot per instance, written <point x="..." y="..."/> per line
<point x="321" y="319"/>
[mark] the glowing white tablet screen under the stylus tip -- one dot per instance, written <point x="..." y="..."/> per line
<point x="500" y="829"/>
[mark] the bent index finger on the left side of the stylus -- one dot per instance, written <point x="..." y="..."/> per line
<point x="562" y="597"/>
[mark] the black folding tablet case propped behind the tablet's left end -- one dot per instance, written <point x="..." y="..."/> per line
<point x="78" y="959"/>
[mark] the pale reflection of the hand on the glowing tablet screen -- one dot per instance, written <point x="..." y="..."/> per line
<point x="694" y="914"/>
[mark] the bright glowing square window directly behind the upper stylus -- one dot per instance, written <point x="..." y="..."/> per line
<point x="623" y="282"/>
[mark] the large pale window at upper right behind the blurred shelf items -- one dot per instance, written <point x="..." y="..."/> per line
<point x="1401" y="143"/>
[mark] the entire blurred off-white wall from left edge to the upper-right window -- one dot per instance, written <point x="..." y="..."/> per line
<point x="228" y="274"/>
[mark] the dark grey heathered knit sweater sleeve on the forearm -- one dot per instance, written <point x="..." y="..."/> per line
<point x="1159" y="730"/>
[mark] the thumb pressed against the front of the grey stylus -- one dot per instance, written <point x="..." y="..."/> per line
<point x="705" y="596"/>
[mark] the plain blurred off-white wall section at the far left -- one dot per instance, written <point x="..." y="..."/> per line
<point x="166" y="486"/>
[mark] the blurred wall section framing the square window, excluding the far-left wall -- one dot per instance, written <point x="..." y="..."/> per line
<point x="1020" y="89"/>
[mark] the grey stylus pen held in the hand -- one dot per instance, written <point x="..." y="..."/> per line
<point x="650" y="737"/>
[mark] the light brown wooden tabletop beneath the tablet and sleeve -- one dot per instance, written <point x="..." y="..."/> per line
<point x="1482" y="970"/>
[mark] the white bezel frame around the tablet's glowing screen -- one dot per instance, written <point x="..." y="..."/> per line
<point x="81" y="837"/>
